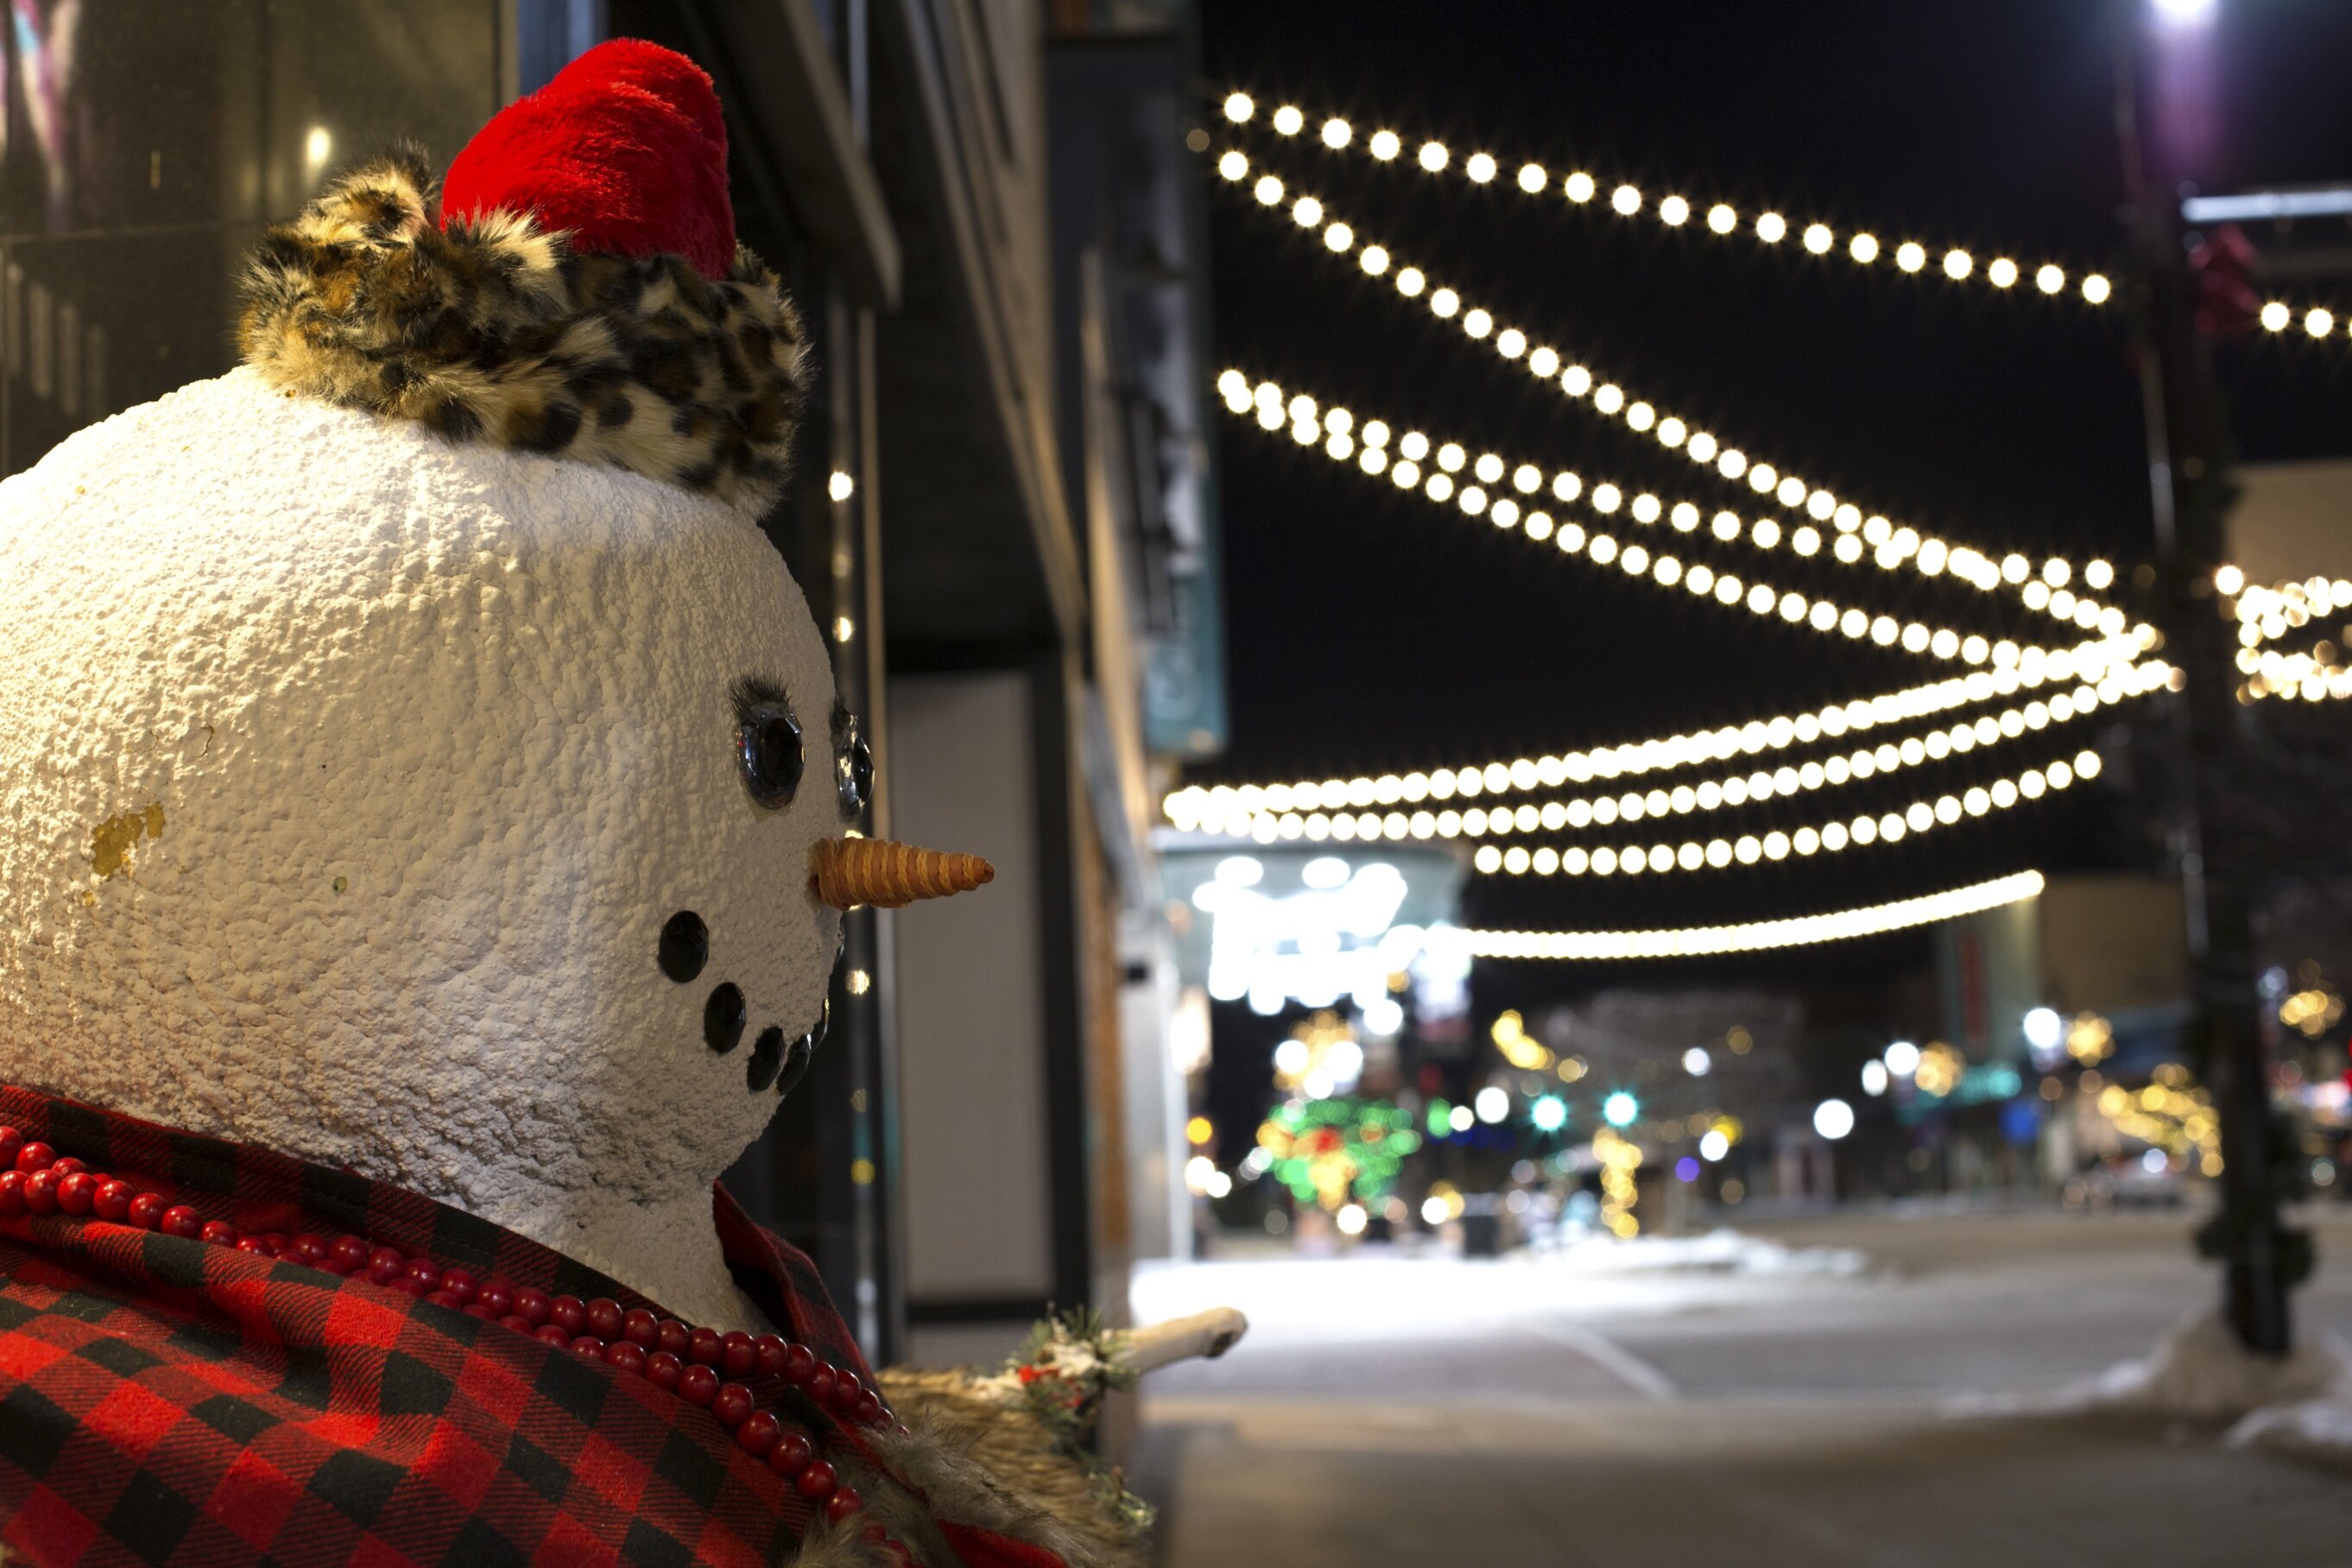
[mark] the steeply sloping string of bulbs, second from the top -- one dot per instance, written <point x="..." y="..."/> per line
<point x="1612" y="401"/>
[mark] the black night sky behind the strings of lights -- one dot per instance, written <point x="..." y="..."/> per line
<point x="1372" y="631"/>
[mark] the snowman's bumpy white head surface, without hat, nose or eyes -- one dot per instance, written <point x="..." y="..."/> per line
<point x="349" y="779"/>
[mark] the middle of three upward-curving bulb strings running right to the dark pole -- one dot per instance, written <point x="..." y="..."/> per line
<point x="1236" y="817"/>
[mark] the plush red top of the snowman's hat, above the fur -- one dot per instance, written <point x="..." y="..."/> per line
<point x="624" y="152"/>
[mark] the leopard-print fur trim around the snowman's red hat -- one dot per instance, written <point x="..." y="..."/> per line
<point x="497" y="330"/>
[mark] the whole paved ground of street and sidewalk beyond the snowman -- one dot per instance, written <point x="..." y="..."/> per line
<point x="1436" y="1409"/>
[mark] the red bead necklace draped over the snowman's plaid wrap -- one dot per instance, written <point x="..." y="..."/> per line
<point x="697" y="1365"/>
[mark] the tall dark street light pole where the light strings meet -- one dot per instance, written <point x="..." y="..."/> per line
<point x="2191" y="497"/>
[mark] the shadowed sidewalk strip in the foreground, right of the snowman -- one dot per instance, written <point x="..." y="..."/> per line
<point x="1314" y="1485"/>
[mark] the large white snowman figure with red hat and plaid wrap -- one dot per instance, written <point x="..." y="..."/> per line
<point x="429" y="829"/>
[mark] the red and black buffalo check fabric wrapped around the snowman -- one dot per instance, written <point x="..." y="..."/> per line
<point x="173" y="1402"/>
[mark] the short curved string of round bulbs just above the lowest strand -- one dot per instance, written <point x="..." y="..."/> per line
<point x="1829" y="838"/>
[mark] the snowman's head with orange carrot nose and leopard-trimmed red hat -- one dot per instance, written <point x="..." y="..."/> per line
<point x="425" y="763"/>
